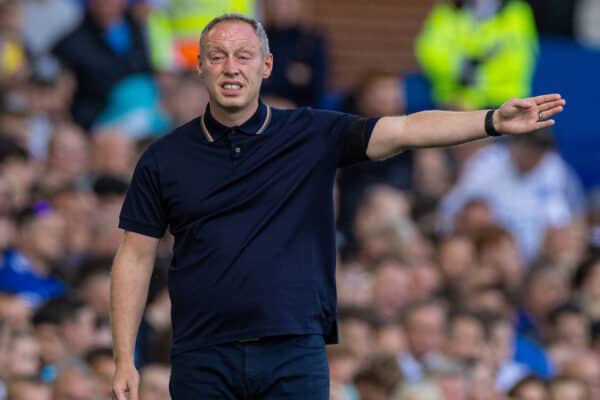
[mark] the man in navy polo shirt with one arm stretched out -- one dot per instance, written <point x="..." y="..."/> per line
<point x="246" y="190"/>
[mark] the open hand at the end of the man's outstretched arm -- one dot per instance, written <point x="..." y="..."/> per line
<point x="518" y="116"/>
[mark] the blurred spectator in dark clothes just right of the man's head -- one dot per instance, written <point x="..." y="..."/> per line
<point x="300" y="72"/>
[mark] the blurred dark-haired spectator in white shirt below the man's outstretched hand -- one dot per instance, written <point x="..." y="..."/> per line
<point x="534" y="189"/>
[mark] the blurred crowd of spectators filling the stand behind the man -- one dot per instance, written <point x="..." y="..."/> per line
<point x="463" y="274"/>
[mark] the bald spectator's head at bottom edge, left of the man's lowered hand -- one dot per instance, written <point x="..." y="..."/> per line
<point x="74" y="384"/>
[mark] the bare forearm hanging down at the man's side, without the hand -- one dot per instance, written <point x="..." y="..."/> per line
<point x="129" y="289"/>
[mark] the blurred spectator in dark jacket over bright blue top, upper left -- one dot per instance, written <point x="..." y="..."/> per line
<point x="106" y="47"/>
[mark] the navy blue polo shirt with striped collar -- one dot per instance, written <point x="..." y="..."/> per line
<point x="251" y="210"/>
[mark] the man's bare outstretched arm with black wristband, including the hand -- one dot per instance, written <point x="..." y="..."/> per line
<point x="392" y="135"/>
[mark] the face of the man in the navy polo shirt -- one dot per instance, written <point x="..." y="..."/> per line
<point x="233" y="66"/>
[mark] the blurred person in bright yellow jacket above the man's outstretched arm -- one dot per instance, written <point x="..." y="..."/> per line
<point x="476" y="53"/>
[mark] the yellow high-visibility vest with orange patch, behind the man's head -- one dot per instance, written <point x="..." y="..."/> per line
<point x="174" y="31"/>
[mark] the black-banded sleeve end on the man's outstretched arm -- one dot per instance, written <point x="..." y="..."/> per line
<point x="353" y="139"/>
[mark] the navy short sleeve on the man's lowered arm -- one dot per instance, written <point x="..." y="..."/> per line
<point x="143" y="210"/>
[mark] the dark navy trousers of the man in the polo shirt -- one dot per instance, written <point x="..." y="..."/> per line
<point x="284" y="367"/>
